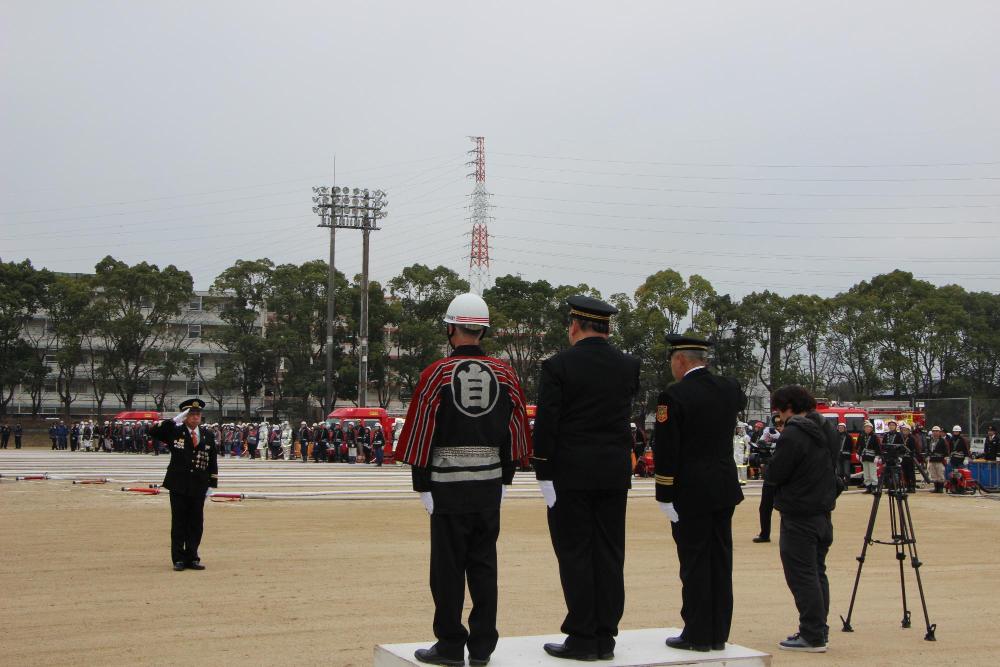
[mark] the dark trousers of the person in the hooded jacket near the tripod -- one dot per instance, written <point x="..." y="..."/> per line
<point x="805" y="541"/>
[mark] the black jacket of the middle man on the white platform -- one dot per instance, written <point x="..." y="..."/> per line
<point x="582" y="437"/>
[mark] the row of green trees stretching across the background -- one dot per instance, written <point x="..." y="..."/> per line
<point x="894" y="335"/>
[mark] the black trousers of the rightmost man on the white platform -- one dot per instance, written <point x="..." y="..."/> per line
<point x="705" y="551"/>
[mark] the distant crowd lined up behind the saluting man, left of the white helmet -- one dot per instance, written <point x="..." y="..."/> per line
<point x="347" y="442"/>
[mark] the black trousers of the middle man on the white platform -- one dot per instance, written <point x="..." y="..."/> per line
<point x="588" y="536"/>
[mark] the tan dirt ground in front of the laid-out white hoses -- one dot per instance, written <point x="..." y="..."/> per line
<point x="86" y="578"/>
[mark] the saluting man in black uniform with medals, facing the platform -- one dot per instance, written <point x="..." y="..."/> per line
<point x="193" y="468"/>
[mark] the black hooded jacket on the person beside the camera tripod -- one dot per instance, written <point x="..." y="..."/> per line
<point x="802" y="467"/>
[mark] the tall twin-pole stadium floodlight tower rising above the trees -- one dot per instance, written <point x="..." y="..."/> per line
<point x="342" y="207"/>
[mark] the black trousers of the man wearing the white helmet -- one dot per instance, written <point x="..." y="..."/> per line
<point x="465" y="546"/>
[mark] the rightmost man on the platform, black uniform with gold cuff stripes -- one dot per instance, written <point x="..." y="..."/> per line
<point x="698" y="489"/>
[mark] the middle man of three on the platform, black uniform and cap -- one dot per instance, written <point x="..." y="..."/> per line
<point x="583" y="463"/>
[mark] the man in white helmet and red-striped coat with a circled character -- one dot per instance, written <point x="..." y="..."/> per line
<point x="466" y="426"/>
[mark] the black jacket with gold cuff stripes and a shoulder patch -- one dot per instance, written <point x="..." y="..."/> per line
<point x="693" y="447"/>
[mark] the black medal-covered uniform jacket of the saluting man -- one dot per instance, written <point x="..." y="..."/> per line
<point x="190" y="471"/>
